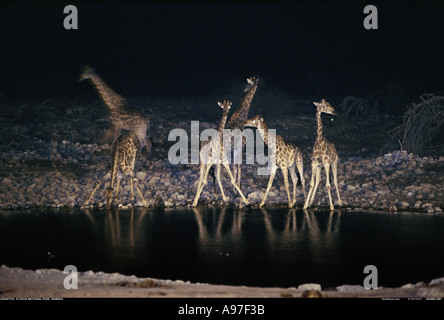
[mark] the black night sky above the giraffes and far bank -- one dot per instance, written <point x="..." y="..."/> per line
<point x="195" y="47"/>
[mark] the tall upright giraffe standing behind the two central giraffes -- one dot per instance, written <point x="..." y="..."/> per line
<point x="237" y="121"/>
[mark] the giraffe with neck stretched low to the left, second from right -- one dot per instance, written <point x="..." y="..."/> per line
<point x="285" y="156"/>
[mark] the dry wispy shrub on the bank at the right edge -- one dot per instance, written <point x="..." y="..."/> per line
<point x="421" y="123"/>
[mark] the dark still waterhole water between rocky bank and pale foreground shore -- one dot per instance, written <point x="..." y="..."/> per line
<point x="254" y="247"/>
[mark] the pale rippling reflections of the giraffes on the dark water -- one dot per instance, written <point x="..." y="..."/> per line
<point x="125" y="228"/>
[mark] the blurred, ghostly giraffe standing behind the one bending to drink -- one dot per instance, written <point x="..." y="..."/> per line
<point x="122" y="118"/>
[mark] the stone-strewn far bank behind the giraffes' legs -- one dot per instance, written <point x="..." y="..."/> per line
<point x="62" y="176"/>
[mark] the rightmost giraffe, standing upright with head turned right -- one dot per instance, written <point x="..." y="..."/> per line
<point x="324" y="154"/>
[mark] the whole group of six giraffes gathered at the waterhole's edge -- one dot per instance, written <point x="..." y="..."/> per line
<point x="130" y="134"/>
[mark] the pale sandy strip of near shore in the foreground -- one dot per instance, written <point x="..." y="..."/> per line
<point x="48" y="283"/>
